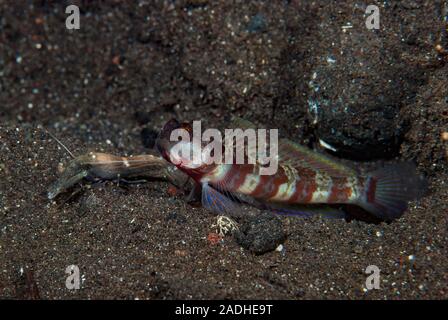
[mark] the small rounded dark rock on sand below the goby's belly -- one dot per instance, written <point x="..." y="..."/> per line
<point x="261" y="234"/>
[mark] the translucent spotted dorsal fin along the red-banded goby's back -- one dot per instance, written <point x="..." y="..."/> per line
<point x="296" y="155"/>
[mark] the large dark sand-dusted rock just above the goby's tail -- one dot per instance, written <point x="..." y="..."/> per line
<point x="359" y="115"/>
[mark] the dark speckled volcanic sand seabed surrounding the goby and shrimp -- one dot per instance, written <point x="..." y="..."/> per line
<point x="132" y="67"/>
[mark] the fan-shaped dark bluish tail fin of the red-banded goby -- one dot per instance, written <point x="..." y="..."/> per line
<point x="389" y="189"/>
